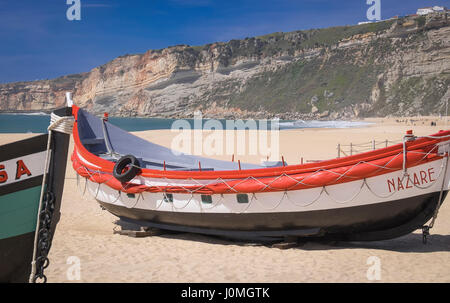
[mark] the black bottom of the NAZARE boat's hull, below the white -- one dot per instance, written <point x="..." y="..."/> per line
<point x="360" y="223"/>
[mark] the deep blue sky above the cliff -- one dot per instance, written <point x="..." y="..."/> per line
<point x="38" y="42"/>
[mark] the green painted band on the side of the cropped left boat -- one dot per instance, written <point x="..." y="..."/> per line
<point x="18" y="212"/>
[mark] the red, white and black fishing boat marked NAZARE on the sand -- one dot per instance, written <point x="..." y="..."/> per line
<point x="376" y="195"/>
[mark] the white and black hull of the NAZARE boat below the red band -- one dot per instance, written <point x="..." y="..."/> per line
<point x="371" y="209"/>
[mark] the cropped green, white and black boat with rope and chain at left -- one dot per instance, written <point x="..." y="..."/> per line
<point x="31" y="184"/>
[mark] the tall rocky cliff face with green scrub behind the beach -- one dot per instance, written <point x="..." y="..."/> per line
<point x="396" y="67"/>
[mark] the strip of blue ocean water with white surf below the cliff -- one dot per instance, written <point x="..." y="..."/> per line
<point x="38" y="123"/>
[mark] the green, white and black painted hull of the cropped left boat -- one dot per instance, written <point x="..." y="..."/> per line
<point x="22" y="168"/>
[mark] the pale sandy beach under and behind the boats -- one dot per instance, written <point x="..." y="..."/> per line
<point x="86" y="232"/>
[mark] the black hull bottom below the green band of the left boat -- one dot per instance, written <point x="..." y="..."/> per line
<point x="16" y="254"/>
